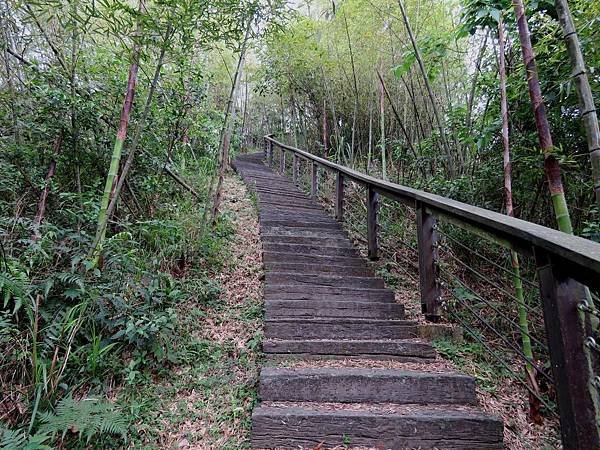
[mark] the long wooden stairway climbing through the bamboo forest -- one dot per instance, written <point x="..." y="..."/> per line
<point x="323" y="303"/>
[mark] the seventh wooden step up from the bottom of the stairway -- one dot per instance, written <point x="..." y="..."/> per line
<point x="286" y="278"/>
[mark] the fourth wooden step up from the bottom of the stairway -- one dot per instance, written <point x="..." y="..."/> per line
<point x="340" y="328"/>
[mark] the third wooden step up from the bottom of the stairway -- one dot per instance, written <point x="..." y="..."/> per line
<point x="397" y="349"/>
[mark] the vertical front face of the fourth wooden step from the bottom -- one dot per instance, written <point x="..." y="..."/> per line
<point x="283" y="330"/>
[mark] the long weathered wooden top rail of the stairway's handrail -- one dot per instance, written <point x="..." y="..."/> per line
<point x="582" y="252"/>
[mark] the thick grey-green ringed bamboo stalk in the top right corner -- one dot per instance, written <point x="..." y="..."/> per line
<point x="584" y="91"/>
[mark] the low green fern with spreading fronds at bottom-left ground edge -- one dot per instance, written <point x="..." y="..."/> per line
<point x="88" y="417"/>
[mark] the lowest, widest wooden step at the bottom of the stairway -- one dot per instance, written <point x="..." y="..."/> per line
<point x="410" y="428"/>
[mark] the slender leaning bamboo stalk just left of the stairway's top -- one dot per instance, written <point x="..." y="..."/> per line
<point x="228" y="125"/>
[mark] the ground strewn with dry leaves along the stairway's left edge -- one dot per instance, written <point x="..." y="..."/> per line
<point x="205" y="402"/>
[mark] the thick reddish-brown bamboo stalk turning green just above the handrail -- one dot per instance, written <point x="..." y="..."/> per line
<point x="551" y="165"/>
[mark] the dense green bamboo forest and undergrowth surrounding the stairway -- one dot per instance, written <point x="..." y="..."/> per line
<point x="91" y="292"/>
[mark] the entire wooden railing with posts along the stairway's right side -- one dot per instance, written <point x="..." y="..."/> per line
<point x="565" y="263"/>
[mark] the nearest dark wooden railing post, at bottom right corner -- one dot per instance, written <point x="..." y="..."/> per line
<point x="567" y="333"/>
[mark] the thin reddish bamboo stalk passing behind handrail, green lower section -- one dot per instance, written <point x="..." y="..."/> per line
<point x="534" y="403"/>
